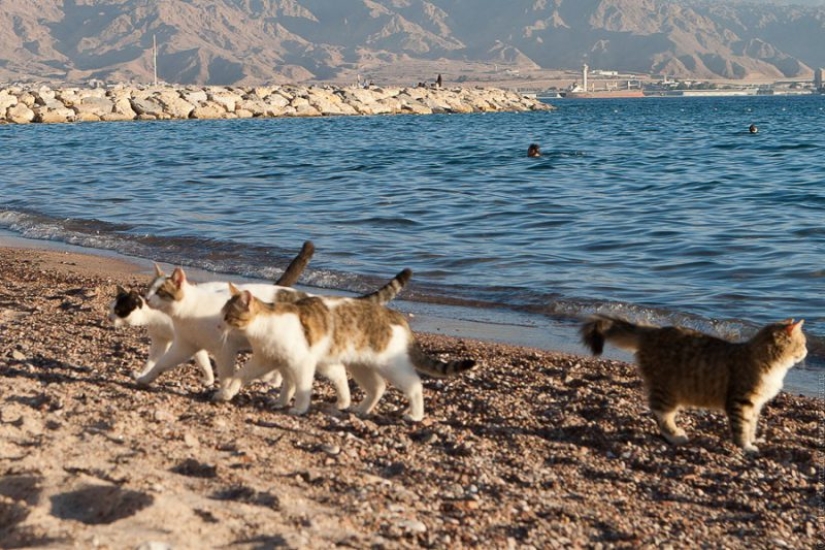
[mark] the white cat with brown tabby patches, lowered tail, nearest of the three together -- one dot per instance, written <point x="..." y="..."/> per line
<point x="374" y="343"/>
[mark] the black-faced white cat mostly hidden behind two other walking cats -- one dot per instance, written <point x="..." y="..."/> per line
<point x="129" y="308"/>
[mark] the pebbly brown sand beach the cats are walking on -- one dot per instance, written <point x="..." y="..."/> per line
<point x="532" y="449"/>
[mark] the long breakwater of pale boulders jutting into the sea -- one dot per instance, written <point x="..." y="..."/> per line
<point x="20" y="105"/>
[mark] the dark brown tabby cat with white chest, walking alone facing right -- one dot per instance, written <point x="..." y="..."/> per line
<point x="685" y="368"/>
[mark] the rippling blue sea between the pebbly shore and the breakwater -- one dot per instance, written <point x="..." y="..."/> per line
<point x="663" y="210"/>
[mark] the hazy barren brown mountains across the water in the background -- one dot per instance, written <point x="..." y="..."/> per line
<point x="251" y="42"/>
